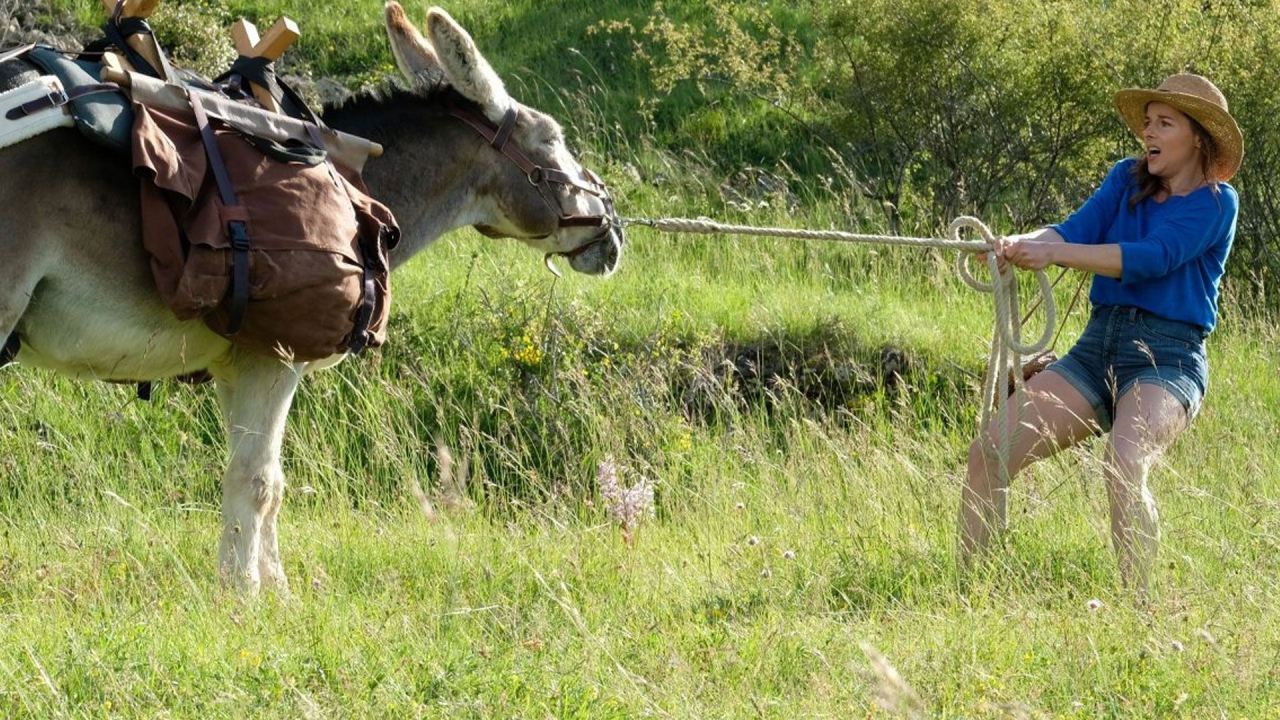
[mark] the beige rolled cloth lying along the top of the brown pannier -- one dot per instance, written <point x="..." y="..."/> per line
<point x="345" y="149"/>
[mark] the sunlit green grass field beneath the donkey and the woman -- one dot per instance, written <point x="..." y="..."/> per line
<point x="803" y="537"/>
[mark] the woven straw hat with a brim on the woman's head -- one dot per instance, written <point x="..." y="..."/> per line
<point x="1200" y="99"/>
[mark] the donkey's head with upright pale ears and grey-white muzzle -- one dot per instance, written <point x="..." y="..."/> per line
<point x="536" y="190"/>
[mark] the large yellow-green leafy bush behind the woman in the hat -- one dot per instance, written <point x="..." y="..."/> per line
<point x="939" y="108"/>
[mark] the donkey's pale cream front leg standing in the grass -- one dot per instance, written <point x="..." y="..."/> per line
<point x="255" y="394"/>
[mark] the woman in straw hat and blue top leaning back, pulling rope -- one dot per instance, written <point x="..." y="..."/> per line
<point x="1155" y="236"/>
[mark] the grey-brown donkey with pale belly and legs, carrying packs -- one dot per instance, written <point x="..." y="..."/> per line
<point x="76" y="288"/>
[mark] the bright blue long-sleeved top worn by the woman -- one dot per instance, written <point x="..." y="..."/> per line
<point x="1173" y="253"/>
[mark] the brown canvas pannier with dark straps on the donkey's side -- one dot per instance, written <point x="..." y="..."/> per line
<point x="318" y="244"/>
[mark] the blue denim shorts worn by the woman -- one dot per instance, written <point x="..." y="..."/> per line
<point x="1126" y="347"/>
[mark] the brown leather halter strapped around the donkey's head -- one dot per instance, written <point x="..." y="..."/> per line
<point x="541" y="177"/>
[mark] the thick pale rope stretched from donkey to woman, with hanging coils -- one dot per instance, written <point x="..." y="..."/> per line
<point x="1007" y="347"/>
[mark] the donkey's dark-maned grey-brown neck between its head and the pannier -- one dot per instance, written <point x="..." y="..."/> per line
<point x="429" y="174"/>
